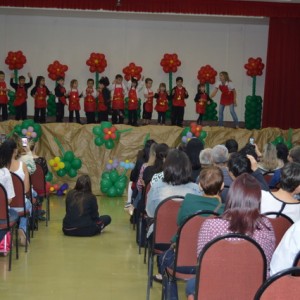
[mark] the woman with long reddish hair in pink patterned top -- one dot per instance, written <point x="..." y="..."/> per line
<point x="241" y="215"/>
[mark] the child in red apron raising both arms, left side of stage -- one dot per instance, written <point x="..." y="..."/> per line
<point x="20" y="101"/>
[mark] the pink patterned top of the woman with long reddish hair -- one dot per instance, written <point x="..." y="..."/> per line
<point x="212" y="228"/>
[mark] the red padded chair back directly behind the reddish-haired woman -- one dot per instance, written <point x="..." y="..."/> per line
<point x="232" y="266"/>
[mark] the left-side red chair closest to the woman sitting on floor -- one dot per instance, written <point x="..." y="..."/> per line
<point x="38" y="182"/>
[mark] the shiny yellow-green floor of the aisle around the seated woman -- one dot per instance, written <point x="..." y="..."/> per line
<point x="57" y="267"/>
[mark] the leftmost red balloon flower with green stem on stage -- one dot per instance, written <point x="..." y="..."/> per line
<point x="15" y="61"/>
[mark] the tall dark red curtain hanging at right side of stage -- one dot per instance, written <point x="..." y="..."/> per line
<point x="282" y="91"/>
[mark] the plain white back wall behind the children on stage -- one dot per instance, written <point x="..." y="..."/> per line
<point x="224" y="45"/>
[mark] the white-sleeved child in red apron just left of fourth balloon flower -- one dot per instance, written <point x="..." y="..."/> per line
<point x="118" y="90"/>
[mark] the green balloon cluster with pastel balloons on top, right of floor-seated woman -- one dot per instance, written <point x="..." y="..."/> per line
<point x="114" y="182"/>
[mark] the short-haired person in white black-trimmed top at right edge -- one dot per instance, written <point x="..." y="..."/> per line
<point x="284" y="200"/>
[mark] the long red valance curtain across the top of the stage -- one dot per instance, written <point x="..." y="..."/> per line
<point x="217" y="7"/>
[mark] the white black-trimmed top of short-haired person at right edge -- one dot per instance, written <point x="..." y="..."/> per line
<point x="270" y="203"/>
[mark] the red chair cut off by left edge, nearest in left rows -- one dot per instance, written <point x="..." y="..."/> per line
<point x="6" y="224"/>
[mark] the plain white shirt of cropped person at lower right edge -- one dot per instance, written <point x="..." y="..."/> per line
<point x="287" y="249"/>
